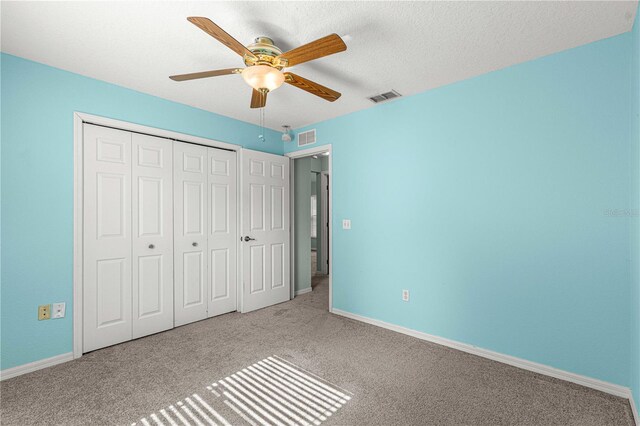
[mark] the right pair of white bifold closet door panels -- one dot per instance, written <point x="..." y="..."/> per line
<point x="204" y="232"/>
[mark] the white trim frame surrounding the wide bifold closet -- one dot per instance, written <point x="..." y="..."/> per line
<point x="79" y="118"/>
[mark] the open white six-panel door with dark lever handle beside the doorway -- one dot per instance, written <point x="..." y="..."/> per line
<point x="265" y="230"/>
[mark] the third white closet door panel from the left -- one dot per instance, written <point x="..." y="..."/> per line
<point x="190" y="232"/>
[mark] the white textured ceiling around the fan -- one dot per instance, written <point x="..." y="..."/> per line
<point x="407" y="46"/>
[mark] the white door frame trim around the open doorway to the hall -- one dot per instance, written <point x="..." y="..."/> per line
<point x="301" y="154"/>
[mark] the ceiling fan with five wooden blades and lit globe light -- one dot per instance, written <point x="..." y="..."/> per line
<point x="265" y="63"/>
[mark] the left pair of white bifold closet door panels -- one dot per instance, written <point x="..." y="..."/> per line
<point x="128" y="236"/>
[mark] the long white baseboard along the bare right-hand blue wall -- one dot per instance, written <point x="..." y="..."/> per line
<point x="589" y="382"/>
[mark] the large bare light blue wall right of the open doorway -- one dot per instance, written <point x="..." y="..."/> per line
<point x="489" y="205"/>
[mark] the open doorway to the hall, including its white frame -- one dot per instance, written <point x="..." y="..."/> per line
<point x="311" y="211"/>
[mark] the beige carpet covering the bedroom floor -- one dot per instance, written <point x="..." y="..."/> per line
<point x="392" y="379"/>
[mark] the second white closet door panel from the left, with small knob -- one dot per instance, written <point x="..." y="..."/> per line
<point x="152" y="195"/>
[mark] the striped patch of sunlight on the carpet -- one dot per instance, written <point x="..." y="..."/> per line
<point x="271" y="392"/>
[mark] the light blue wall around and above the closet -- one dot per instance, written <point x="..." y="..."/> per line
<point x="37" y="188"/>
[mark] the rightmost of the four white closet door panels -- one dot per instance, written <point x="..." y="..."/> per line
<point x="222" y="230"/>
